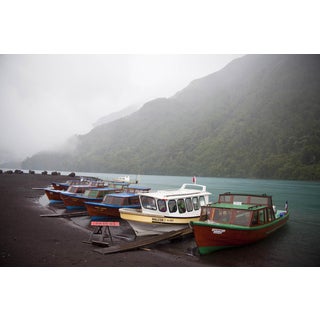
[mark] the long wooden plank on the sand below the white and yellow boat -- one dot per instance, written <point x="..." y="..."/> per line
<point x="144" y="241"/>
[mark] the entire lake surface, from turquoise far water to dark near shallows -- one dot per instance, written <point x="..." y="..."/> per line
<point x="296" y="244"/>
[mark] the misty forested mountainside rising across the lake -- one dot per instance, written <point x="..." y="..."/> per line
<point x="258" y="117"/>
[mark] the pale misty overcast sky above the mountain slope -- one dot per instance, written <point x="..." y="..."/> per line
<point x="45" y="99"/>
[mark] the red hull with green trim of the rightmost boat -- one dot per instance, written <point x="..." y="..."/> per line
<point x="211" y="237"/>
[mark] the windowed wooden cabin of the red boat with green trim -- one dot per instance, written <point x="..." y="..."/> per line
<point x="237" y="214"/>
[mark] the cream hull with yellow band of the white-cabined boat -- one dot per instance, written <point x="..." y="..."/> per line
<point x="144" y="225"/>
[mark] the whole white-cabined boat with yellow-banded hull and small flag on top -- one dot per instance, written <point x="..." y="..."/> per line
<point x="167" y="210"/>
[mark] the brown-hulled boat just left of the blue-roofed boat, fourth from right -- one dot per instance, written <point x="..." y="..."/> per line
<point x="77" y="200"/>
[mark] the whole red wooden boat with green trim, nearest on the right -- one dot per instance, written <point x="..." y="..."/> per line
<point x="237" y="220"/>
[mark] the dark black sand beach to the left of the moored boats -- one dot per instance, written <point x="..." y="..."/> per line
<point x="28" y="240"/>
